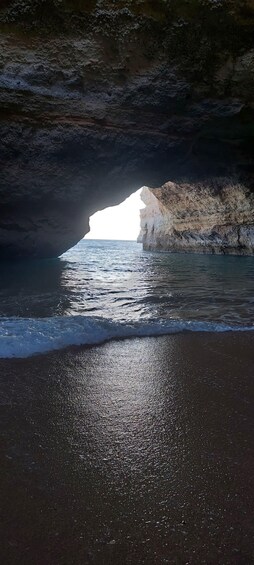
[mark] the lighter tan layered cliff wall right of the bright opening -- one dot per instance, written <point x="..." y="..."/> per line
<point x="215" y="218"/>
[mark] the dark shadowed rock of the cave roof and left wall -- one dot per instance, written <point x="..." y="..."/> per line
<point x="99" y="97"/>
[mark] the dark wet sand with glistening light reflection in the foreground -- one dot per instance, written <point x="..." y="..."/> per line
<point x="139" y="451"/>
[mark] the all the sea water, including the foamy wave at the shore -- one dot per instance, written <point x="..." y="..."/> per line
<point x="101" y="290"/>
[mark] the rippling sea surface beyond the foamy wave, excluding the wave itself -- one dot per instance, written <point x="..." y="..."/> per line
<point x="118" y="280"/>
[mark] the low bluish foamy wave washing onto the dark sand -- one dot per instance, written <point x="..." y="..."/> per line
<point x="23" y="337"/>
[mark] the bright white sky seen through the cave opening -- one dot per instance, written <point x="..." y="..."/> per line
<point x="117" y="222"/>
